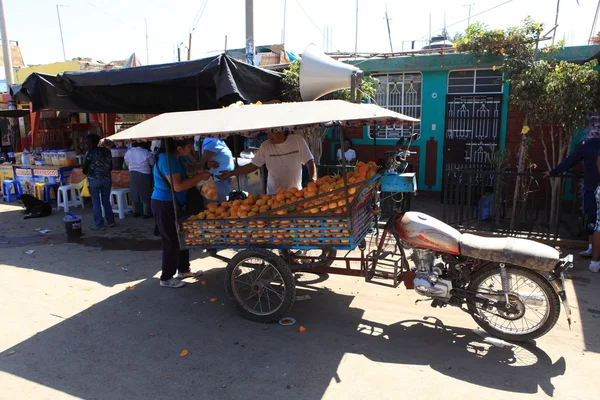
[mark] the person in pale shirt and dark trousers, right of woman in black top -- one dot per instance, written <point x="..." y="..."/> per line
<point x="139" y="162"/>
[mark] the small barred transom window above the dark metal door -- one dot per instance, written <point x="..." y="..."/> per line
<point x="475" y="81"/>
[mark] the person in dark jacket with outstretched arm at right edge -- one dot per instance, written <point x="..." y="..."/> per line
<point x="588" y="153"/>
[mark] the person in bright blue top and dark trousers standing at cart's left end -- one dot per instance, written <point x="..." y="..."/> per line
<point x="173" y="259"/>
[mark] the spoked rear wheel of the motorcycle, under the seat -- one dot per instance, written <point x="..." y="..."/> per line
<point x="534" y="305"/>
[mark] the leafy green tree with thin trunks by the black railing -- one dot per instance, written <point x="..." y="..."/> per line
<point x="554" y="95"/>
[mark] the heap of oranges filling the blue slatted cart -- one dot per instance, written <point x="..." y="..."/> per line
<point x="327" y="195"/>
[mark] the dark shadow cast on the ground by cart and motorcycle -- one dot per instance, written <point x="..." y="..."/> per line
<point x="113" y="349"/>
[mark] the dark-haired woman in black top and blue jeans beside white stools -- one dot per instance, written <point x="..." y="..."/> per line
<point x="98" y="167"/>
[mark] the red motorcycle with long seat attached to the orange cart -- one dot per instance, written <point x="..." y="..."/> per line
<point x="511" y="287"/>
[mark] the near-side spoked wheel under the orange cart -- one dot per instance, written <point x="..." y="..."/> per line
<point x="261" y="285"/>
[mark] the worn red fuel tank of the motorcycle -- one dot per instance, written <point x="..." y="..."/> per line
<point x="421" y="230"/>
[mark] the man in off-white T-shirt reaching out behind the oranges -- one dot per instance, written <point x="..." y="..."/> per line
<point x="283" y="154"/>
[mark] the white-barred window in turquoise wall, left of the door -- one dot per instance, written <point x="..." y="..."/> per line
<point x="401" y="93"/>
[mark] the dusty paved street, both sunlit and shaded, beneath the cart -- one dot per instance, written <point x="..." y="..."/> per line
<point x="90" y="321"/>
